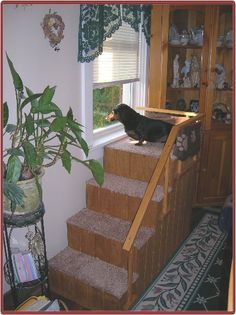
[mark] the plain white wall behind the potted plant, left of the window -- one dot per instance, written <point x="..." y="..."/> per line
<point x="39" y="65"/>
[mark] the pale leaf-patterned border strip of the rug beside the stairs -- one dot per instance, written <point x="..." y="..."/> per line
<point x="176" y="285"/>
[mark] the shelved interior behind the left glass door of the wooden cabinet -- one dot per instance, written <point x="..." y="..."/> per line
<point x="183" y="19"/>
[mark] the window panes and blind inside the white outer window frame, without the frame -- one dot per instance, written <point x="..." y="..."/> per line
<point x="114" y="72"/>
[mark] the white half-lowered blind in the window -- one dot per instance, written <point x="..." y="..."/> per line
<point x="120" y="60"/>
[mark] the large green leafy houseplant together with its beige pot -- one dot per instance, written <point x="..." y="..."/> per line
<point x="41" y="136"/>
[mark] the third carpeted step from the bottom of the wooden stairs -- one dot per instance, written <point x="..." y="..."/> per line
<point x="120" y="197"/>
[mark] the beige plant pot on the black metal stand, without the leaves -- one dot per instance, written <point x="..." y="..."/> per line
<point x="32" y="199"/>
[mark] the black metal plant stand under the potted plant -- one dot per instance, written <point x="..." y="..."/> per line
<point x="36" y="248"/>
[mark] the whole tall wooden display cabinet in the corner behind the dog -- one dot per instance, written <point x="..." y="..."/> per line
<point x="215" y="170"/>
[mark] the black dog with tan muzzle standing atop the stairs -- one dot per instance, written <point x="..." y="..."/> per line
<point x="139" y="127"/>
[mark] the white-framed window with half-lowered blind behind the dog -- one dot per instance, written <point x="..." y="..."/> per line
<point x="117" y="75"/>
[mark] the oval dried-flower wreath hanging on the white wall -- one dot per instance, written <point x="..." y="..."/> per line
<point x="53" y="28"/>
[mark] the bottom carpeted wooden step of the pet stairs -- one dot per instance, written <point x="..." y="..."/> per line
<point x="88" y="281"/>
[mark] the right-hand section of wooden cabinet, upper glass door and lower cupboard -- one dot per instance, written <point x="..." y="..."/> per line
<point x="216" y="153"/>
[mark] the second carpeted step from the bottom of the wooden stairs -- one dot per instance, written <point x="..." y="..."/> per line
<point x="93" y="233"/>
